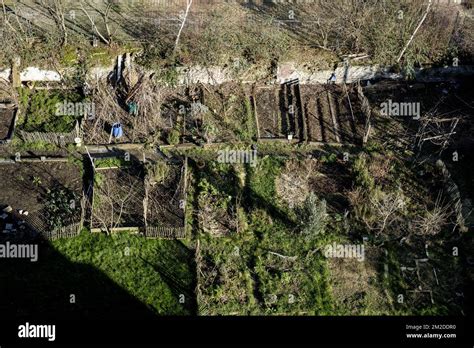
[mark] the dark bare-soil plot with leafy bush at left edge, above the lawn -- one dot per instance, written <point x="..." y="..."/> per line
<point x="41" y="198"/>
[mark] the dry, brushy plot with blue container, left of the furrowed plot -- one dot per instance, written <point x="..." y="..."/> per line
<point x="148" y="112"/>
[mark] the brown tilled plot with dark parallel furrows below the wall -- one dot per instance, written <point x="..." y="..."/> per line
<point x="312" y="113"/>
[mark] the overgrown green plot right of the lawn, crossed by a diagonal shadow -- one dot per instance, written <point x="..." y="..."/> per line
<point x="257" y="265"/>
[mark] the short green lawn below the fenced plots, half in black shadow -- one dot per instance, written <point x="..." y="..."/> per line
<point x="112" y="277"/>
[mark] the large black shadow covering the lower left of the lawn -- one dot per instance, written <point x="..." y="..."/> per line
<point x="43" y="290"/>
